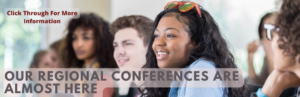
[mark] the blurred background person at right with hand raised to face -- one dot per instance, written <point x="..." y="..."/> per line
<point x="266" y="21"/>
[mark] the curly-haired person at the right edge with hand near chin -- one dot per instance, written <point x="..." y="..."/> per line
<point x="286" y="46"/>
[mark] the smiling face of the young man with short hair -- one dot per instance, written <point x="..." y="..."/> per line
<point x="129" y="49"/>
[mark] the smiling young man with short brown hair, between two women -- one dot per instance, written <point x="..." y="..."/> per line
<point x="130" y="42"/>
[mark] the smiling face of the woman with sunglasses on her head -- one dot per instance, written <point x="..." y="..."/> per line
<point x="171" y="44"/>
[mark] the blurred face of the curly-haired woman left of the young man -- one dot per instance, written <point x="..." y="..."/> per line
<point x="83" y="43"/>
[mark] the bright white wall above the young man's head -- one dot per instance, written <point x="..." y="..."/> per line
<point x="148" y="8"/>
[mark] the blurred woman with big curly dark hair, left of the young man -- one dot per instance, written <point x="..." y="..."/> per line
<point x="88" y="44"/>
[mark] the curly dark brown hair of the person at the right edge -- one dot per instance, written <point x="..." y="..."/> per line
<point x="288" y="22"/>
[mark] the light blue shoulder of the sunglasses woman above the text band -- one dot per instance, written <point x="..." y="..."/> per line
<point x="202" y="63"/>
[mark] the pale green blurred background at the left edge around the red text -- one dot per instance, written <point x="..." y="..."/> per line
<point x="18" y="42"/>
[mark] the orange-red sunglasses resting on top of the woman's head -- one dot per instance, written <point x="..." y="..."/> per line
<point x="183" y="6"/>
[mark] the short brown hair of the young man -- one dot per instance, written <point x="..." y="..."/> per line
<point x="142" y="24"/>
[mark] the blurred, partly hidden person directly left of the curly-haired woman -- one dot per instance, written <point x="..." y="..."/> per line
<point x="54" y="52"/>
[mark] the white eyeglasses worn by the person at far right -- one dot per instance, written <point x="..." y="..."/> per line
<point x="270" y="30"/>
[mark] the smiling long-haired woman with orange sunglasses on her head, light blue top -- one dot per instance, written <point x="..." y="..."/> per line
<point x="186" y="36"/>
